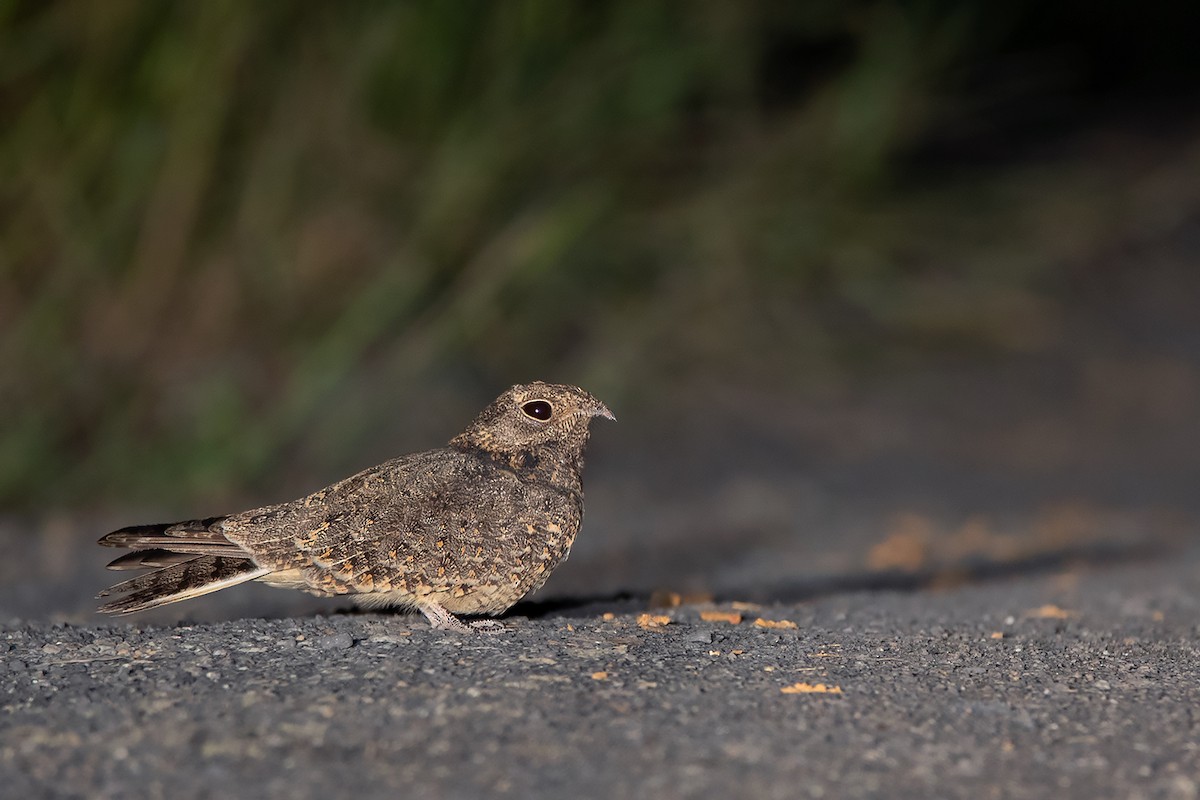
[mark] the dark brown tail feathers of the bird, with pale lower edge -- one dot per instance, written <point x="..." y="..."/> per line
<point x="187" y="560"/>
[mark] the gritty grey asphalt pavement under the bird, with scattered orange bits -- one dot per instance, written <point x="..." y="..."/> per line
<point x="1069" y="683"/>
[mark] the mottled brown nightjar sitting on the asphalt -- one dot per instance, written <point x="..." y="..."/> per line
<point x="466" y="530"/>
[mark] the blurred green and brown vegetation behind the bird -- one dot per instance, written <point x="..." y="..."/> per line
<point x="243" y="237"/>
